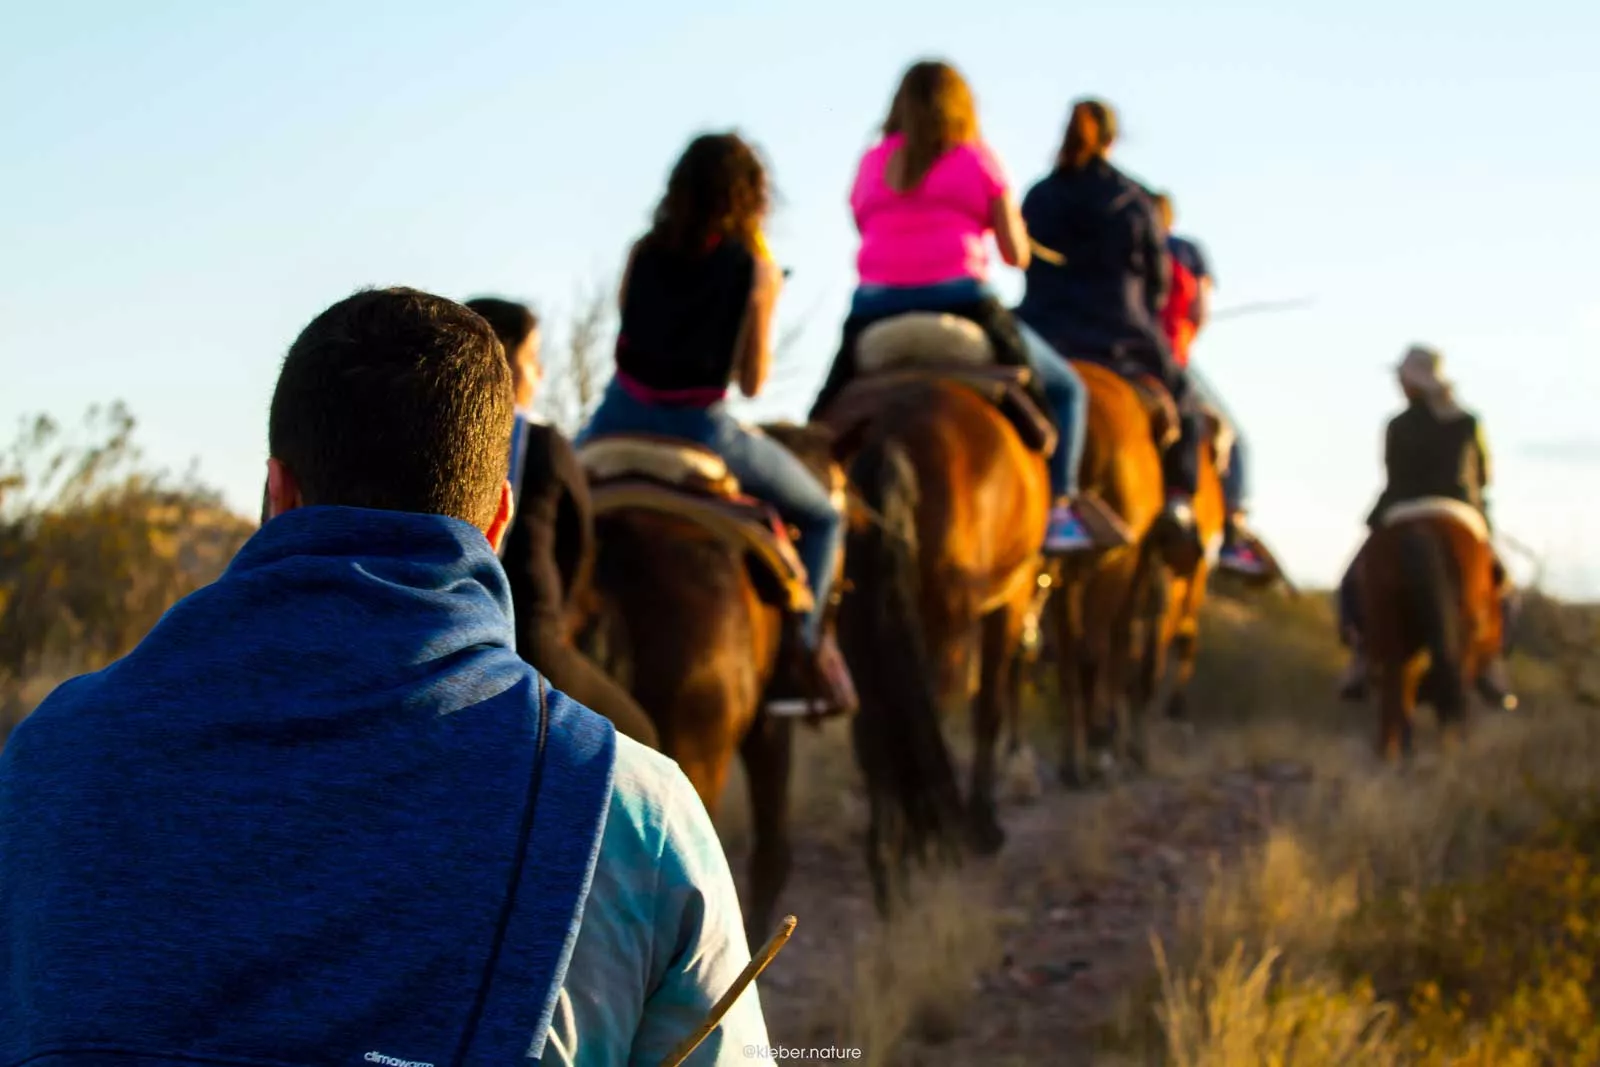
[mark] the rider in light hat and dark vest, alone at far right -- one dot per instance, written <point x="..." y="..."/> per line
<point x="1434" y="449"/>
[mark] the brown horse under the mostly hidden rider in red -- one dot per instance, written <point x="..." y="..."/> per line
<point x="1177" y="593"/>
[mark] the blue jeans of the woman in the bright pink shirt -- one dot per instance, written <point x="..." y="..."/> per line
<point x="1062" y="385"/>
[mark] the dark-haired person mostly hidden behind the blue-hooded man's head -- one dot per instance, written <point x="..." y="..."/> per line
<point x="550" y="548"/>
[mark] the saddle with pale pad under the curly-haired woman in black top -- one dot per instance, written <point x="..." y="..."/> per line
<point x="674" y="478"/>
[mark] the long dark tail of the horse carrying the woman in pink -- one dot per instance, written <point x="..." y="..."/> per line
<point x="900" y="745"/>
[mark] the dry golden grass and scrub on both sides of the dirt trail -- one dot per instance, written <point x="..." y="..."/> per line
<point x="1439" y="917"/>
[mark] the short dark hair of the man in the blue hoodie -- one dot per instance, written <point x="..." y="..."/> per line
<point x="396" y="401"/>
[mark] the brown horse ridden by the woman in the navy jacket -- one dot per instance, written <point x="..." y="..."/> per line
<point x="1097" y="605"/>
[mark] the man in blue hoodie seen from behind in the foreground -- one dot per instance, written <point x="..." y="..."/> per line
<point x="324" y="813"/>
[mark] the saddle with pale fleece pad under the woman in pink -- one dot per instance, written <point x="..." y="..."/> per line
<point x="934" y="346"/>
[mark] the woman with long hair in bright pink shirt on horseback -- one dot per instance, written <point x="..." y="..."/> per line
<point x="927" y="201"/>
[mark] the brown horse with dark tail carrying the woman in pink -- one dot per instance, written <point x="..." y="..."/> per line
<point x="943" y="557"/>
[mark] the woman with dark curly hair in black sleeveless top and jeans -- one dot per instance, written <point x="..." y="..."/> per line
<point x="697" y="303"/>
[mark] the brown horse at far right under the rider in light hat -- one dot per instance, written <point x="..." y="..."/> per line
<point x="1433" y="617"/>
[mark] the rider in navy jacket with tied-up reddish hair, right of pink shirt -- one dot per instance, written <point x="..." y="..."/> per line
<point x="1100" y="274"/>
